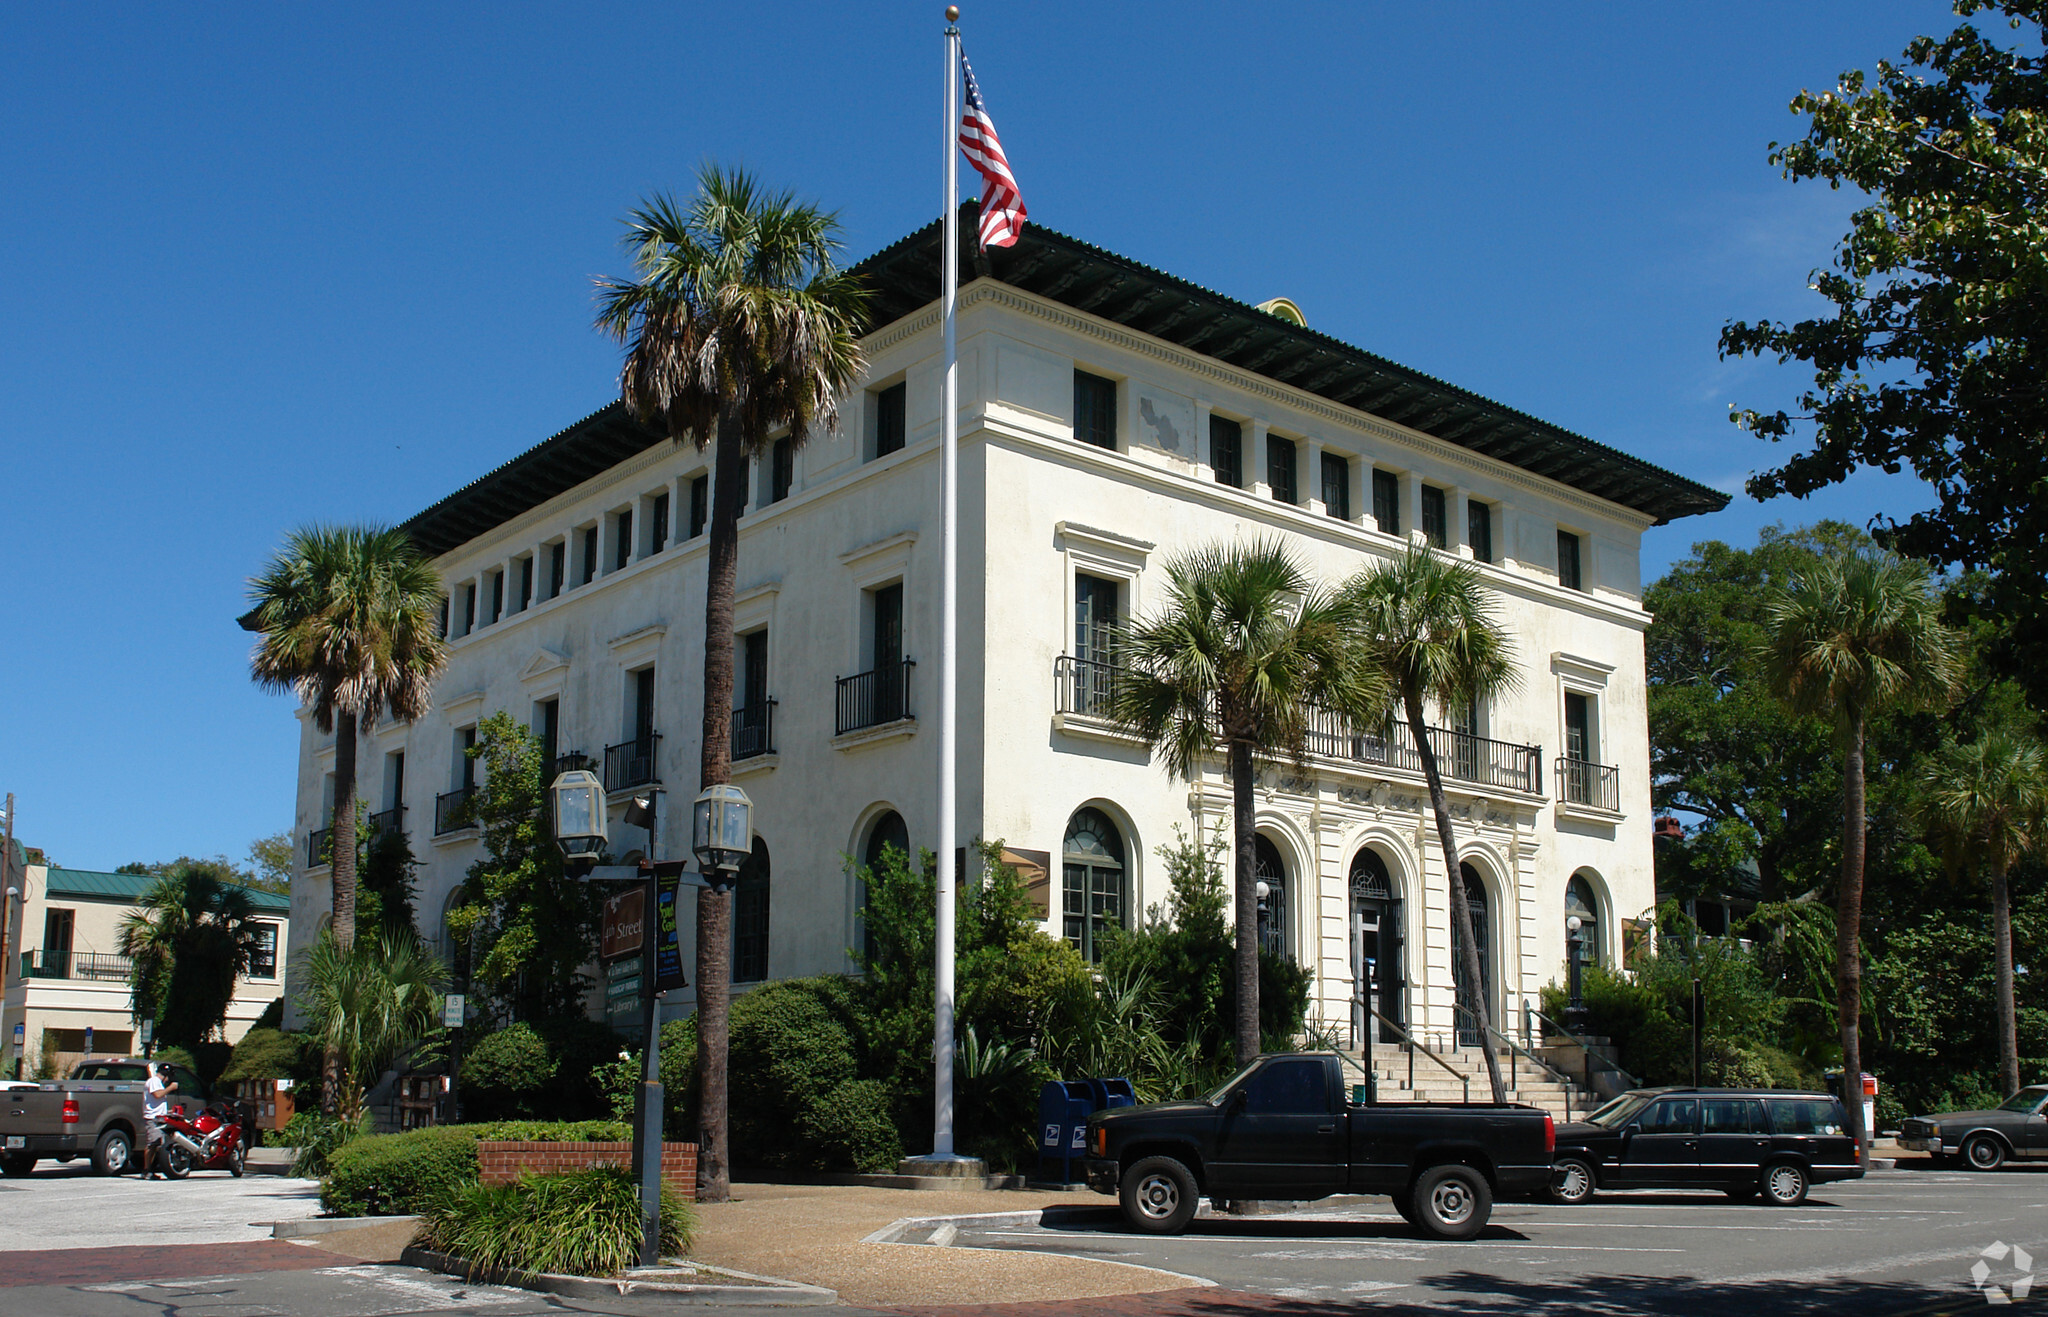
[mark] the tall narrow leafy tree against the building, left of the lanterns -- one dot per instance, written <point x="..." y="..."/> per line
<point x="523" y="921"/>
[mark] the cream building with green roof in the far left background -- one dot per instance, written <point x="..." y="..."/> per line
<point x="69" y="982"/>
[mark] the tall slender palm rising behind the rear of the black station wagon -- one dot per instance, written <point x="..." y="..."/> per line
<point x="1854" y="636"/>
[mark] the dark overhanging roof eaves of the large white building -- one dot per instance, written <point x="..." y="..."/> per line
<point x="906" y="280"/>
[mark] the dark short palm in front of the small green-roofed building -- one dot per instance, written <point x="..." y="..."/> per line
<point x="187" y="943"/>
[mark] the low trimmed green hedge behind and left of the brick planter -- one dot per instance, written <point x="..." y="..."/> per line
<point x="409" y="1171"/>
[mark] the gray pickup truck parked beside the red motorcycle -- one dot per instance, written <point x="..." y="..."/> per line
<point x="97" y="1113"/>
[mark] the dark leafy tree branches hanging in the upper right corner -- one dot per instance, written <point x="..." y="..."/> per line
<point x="1932" y="351"/>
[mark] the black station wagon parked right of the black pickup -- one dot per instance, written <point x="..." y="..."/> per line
<point x="1742" y="1142"/>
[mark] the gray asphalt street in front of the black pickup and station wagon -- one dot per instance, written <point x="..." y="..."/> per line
<point x="1891" y="1242"/>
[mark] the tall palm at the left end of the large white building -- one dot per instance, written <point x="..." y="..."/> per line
<point x="349" y="620"/>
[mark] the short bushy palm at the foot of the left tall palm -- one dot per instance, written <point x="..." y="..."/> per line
<point x="370" y="1003"/>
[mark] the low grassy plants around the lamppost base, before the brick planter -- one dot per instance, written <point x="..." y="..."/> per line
<point x="583" y="1224"/>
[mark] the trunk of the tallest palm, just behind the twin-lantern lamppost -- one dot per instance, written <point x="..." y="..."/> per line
<point x="716" y="767"/>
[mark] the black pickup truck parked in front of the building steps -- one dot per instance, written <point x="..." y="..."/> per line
<point x="1287" y="1128"/>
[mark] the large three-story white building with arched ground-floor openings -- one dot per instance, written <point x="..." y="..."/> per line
<point x="1111" y="417"/>
